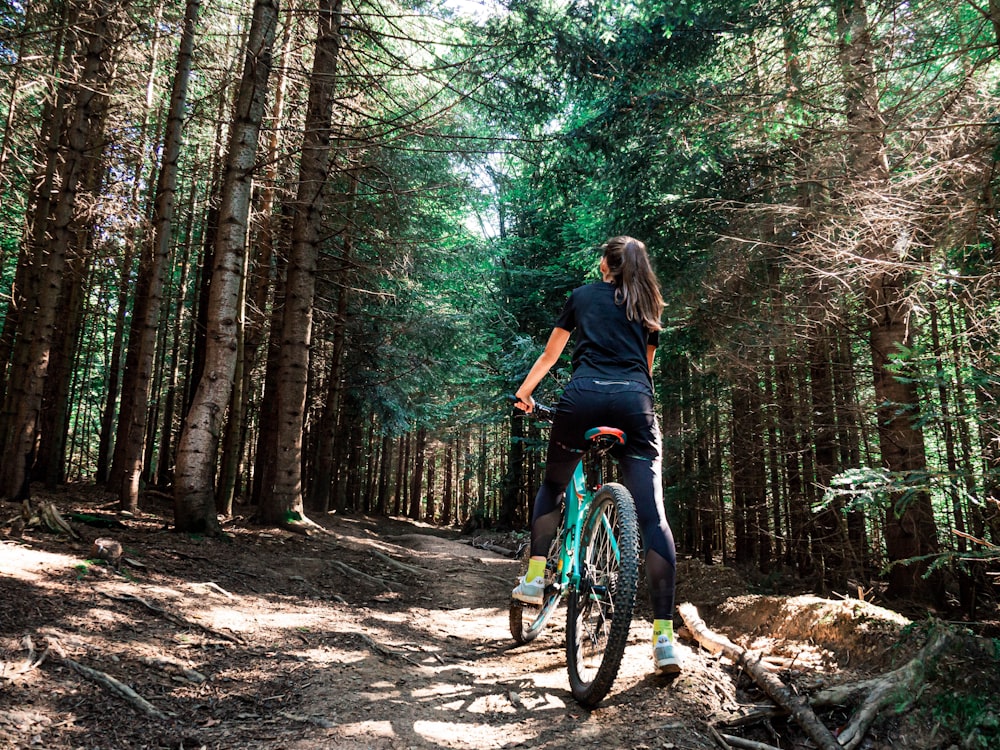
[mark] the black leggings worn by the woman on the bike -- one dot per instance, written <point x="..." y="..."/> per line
<point x="627" y="405"/>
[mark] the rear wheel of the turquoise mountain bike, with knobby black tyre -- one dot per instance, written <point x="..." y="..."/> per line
<point x="600" y="608"/>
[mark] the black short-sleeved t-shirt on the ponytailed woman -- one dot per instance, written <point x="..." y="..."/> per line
<point x="608" y="344"/>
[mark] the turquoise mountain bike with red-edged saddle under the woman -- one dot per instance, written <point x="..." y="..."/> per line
<point x="594" y="562"/>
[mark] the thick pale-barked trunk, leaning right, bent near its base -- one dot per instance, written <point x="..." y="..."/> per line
<point x="194" y="500"/>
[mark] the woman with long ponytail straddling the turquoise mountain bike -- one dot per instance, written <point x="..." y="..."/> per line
<point x="617" y="324"/>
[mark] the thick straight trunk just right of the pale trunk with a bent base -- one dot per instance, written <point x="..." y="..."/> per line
<point x="285" y="499"/>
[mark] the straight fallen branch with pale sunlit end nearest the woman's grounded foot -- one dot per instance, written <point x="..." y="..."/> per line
<point x="776" y="690"/>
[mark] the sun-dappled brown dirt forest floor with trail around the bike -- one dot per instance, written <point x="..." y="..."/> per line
<point x="388" y="633"/>
